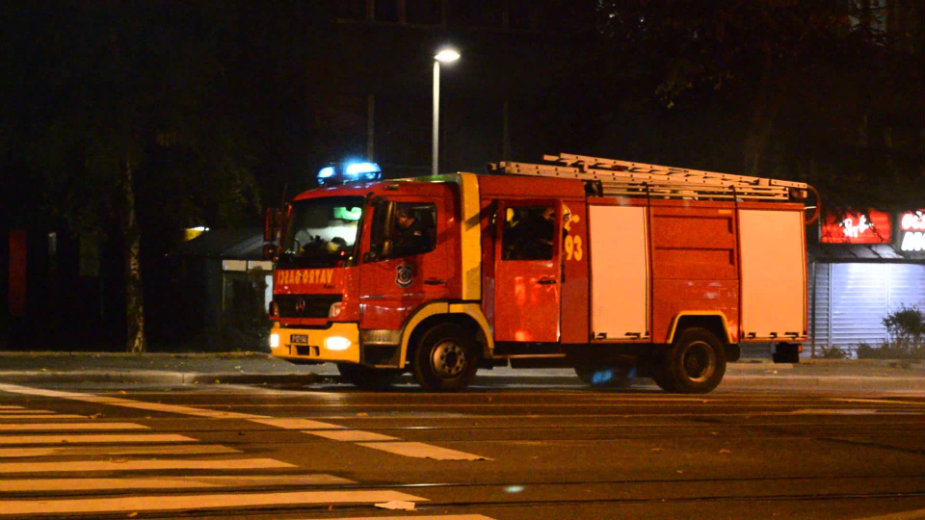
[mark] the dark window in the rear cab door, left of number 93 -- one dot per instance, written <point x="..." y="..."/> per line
<point x="528" y="233"/>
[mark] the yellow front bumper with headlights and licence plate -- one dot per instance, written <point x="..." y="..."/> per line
<point x="338" y="342"/>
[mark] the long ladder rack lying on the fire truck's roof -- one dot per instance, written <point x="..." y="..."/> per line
<point x="612" y="177"/>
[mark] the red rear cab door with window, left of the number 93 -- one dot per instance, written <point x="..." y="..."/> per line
<point x="528" y="272"/>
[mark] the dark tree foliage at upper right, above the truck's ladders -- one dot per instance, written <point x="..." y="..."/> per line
<point x="828" y="92"/>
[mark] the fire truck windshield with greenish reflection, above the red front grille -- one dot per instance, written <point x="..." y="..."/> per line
<point x="322" y="233"/>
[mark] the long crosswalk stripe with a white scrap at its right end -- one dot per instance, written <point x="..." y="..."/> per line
<point x="197" y="502"/>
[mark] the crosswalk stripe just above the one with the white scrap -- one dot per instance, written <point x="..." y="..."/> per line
<point x="183" y="482"/>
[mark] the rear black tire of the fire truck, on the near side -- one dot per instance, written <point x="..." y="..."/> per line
<point x="694" y="364"/>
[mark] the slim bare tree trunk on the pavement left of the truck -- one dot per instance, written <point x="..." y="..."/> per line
<point x="134" y="296"/>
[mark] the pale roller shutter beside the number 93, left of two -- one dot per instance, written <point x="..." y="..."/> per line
<point x="619" y="272"/>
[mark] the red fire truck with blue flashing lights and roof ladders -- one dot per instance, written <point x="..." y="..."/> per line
<point x="614" y="268"/>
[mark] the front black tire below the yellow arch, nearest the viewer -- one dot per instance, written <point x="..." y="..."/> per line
<point x="445" y="359"/>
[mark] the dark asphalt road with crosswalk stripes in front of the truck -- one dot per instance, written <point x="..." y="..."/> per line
<point x="517" y="450"/>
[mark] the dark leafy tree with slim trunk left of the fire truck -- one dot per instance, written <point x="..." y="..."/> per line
<point x="124" y="114"/>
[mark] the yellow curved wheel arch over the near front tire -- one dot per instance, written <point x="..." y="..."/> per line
<point x="468" y="315"/>
